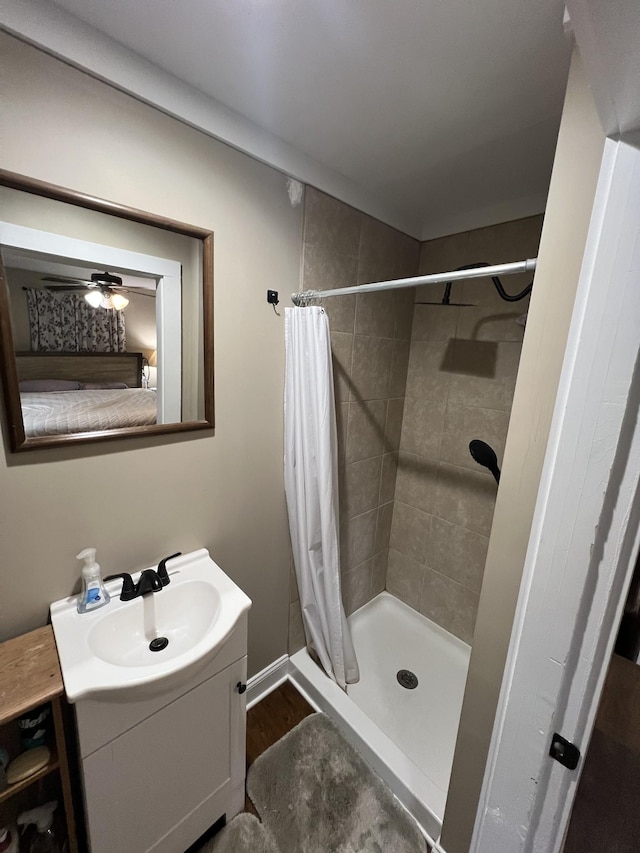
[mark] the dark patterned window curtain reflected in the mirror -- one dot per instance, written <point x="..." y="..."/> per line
<point x="65" y="322"/>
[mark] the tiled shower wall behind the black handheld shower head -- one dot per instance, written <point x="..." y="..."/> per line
<point x="461" y="377"/>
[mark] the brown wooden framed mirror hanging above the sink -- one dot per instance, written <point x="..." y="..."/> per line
<point x="106" y="319"/>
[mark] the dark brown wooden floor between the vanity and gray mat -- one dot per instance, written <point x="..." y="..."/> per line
<point x="271" y="719"/>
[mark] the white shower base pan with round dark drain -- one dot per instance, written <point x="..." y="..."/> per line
<point x="406" y="733"/>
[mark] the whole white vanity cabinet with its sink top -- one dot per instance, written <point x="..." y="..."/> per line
<point x="161" y="733"/>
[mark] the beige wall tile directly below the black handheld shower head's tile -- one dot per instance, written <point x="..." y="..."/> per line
<point x="465" y="497"/>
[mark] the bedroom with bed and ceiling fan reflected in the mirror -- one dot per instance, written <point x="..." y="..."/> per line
<point x="85" y="345"/>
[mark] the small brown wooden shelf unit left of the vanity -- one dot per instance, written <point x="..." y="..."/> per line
<point x="30" y="676"/>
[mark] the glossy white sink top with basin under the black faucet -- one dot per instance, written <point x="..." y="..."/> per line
<point x="107" y="651"/>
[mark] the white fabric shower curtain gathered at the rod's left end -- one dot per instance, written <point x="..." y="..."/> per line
<point x="311" y="486"/>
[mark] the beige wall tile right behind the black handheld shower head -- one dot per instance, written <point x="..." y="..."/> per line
<point x="464" y="423"/>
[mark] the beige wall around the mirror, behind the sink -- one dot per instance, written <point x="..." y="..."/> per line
<point x="137" y="501"/>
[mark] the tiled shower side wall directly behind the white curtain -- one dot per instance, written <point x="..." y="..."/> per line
<point x="370" y="339"/>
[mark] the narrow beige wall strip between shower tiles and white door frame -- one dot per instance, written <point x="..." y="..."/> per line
<point x="573" y="183"/>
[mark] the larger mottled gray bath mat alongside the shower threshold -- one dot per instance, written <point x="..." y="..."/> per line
<point x="315" y="794"/>
